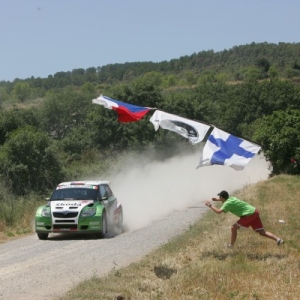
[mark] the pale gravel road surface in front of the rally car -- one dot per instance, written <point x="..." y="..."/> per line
<point x="31" y="269"/>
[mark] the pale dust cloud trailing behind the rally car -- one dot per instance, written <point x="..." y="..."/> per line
<point x="152" y="190"/>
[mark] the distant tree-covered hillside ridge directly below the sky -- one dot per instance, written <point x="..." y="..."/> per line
<point x="234" y="62"/>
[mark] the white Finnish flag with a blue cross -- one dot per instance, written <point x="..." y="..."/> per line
<point x="222" y="148"/>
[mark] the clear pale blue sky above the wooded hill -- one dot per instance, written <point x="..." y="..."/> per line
<point x="42" y="37"/>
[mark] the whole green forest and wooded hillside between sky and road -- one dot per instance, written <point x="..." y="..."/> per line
<point x="48" y="125"/>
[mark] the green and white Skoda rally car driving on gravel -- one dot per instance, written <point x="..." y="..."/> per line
<point x="80" y="206"/>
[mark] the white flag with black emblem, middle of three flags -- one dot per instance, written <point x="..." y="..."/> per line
<point x="192" y="130"/>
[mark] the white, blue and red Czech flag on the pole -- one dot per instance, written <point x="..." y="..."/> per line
<point x="126" y="112"/>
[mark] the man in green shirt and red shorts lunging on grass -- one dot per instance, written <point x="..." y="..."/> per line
<point x="248" y="214"/>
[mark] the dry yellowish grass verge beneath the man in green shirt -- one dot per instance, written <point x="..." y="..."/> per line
<point x="197" y="265"/>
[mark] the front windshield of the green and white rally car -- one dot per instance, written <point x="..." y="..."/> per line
<point x="74" y="193"/>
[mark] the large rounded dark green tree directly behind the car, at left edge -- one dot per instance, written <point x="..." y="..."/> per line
<point x="29" y="162"/>
